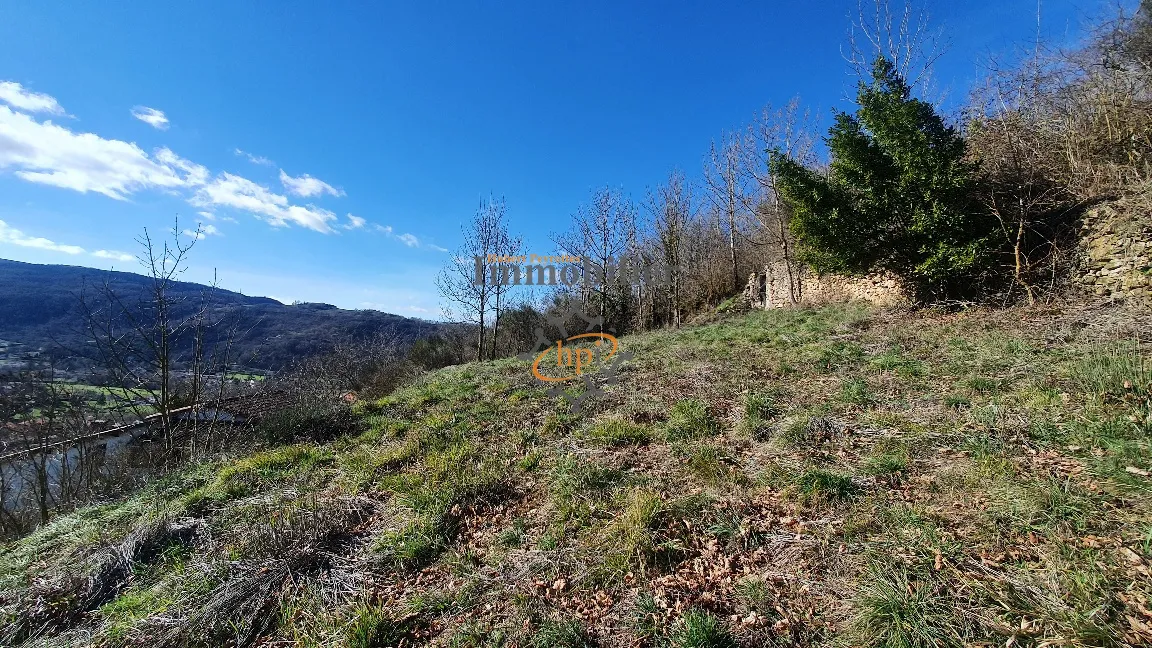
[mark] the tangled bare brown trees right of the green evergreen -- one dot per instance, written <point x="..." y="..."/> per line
<point x="1056" y="133"/>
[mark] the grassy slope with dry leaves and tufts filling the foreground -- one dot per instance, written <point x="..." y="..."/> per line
<point x="823" y="477"/>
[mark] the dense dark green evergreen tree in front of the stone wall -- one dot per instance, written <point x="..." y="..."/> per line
<point x="898" y="195"/>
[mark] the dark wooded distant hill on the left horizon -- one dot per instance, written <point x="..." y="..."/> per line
<point x="40" y="308"/>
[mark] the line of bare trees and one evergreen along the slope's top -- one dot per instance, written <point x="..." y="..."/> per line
<point x="977" y="209"/>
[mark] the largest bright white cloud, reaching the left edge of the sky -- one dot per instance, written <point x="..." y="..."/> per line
<point x="48" y="154"/>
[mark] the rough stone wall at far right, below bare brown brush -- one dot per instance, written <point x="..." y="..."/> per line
<point x="1116" y="260"/>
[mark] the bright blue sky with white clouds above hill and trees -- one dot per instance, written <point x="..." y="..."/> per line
<point x="334" y="150"/>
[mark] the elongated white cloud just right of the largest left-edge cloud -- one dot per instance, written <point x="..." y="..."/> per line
<point x="241" y="193"/>
